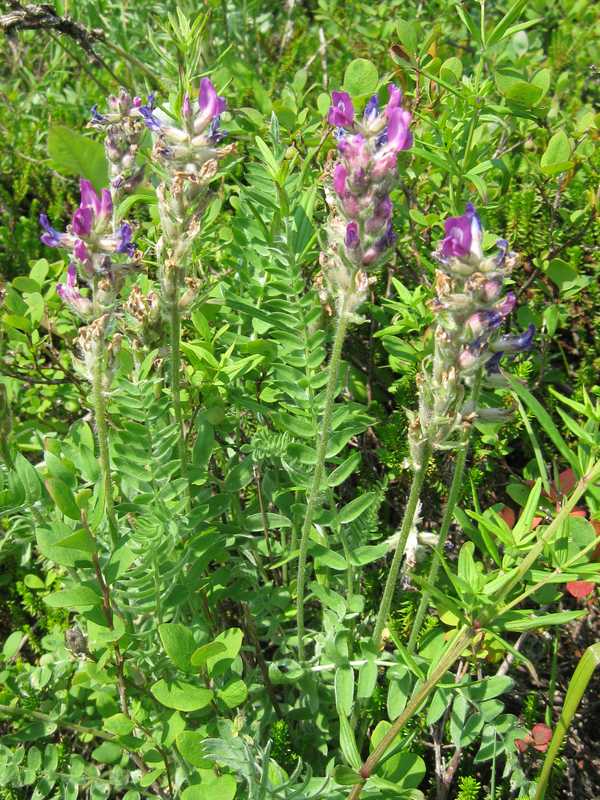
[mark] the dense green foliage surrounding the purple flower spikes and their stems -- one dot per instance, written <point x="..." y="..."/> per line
<point x="160" y="661"/>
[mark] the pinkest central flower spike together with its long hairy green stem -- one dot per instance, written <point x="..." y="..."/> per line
<point x="359" y="235"/>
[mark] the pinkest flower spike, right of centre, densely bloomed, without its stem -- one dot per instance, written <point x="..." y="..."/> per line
<point x="360" y="227"/>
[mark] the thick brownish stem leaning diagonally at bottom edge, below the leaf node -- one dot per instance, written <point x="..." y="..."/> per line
<point x="453" y="653"/>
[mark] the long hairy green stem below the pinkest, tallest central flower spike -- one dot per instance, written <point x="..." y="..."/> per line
<point x="315" y="489"/>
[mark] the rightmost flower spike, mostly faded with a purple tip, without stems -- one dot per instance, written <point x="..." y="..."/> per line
<point x="468" y="344"/>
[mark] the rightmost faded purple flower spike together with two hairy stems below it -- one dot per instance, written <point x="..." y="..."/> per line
<point x="468" y="347"/>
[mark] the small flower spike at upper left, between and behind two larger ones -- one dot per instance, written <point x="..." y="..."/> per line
<point x="123" y="125"/>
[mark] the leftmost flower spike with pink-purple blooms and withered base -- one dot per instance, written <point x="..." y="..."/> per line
<point x="95" y="244"/>
